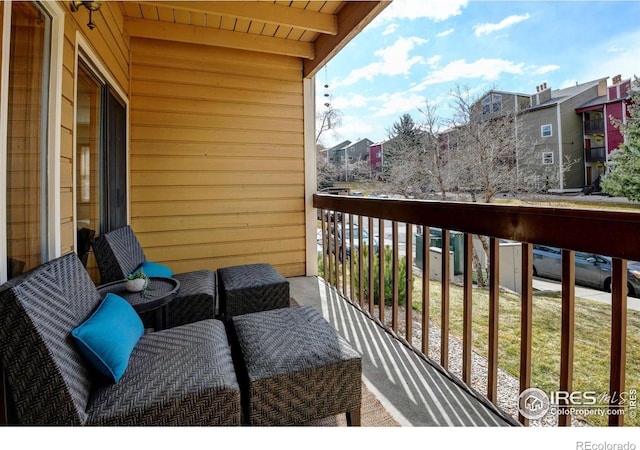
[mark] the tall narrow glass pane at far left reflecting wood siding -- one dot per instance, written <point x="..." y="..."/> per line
<point x="27" y="128"/>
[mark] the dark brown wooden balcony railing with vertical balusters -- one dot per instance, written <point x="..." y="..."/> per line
<point x="568" y="229"/>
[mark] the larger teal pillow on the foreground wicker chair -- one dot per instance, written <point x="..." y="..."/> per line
<point x="107" y="338"/>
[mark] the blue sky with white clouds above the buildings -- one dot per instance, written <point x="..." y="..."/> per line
<point x="418" y="51"/>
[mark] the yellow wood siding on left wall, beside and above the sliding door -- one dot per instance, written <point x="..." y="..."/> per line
<point x="109" y="42"/>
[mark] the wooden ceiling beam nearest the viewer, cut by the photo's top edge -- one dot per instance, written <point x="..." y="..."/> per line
<point x="263" y="12"/>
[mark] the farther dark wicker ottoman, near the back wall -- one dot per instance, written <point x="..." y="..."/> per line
<point x="251" y="288"/>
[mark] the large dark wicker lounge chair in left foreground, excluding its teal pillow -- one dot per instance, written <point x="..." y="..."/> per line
<point x="180" y="376"/>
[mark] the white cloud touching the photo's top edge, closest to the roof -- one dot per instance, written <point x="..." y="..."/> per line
<point x="436" y="10"/>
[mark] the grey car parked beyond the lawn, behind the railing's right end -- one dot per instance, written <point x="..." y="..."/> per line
<point x="591" y="270"/>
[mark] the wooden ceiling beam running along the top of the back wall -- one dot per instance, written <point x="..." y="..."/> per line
<point x="192" y="34"/>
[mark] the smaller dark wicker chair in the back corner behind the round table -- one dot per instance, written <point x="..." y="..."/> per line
<point x="118" y="253"/>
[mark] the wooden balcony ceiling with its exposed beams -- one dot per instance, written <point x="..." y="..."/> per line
<point x="311" y="30"/>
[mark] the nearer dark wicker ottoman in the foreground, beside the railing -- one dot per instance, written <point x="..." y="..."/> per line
<point x="297" y="368"/>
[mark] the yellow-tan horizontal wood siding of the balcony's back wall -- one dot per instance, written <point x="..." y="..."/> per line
<point x="217" y="156"/>
